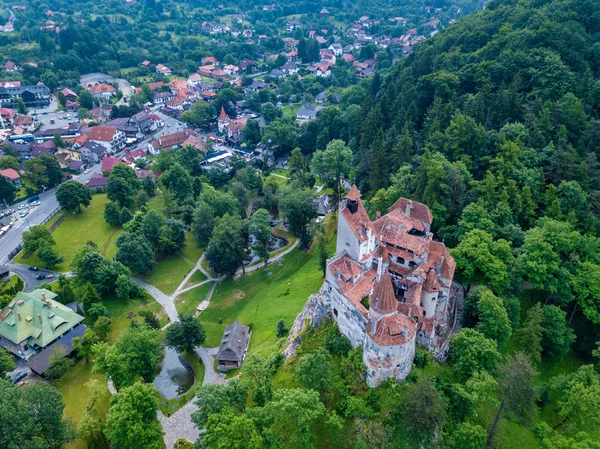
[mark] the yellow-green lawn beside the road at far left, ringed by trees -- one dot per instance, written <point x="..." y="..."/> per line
<point x="76" y="230"/>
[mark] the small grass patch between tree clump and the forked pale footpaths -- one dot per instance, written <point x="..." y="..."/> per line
<point x="170" y="272"/>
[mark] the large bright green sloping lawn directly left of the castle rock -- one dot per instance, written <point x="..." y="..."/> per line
<point x="260" y="299"/>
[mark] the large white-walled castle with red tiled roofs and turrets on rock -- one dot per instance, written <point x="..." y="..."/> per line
<point x="389" y="285"/>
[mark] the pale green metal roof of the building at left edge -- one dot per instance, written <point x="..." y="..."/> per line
<point x="33" y="320"/>
